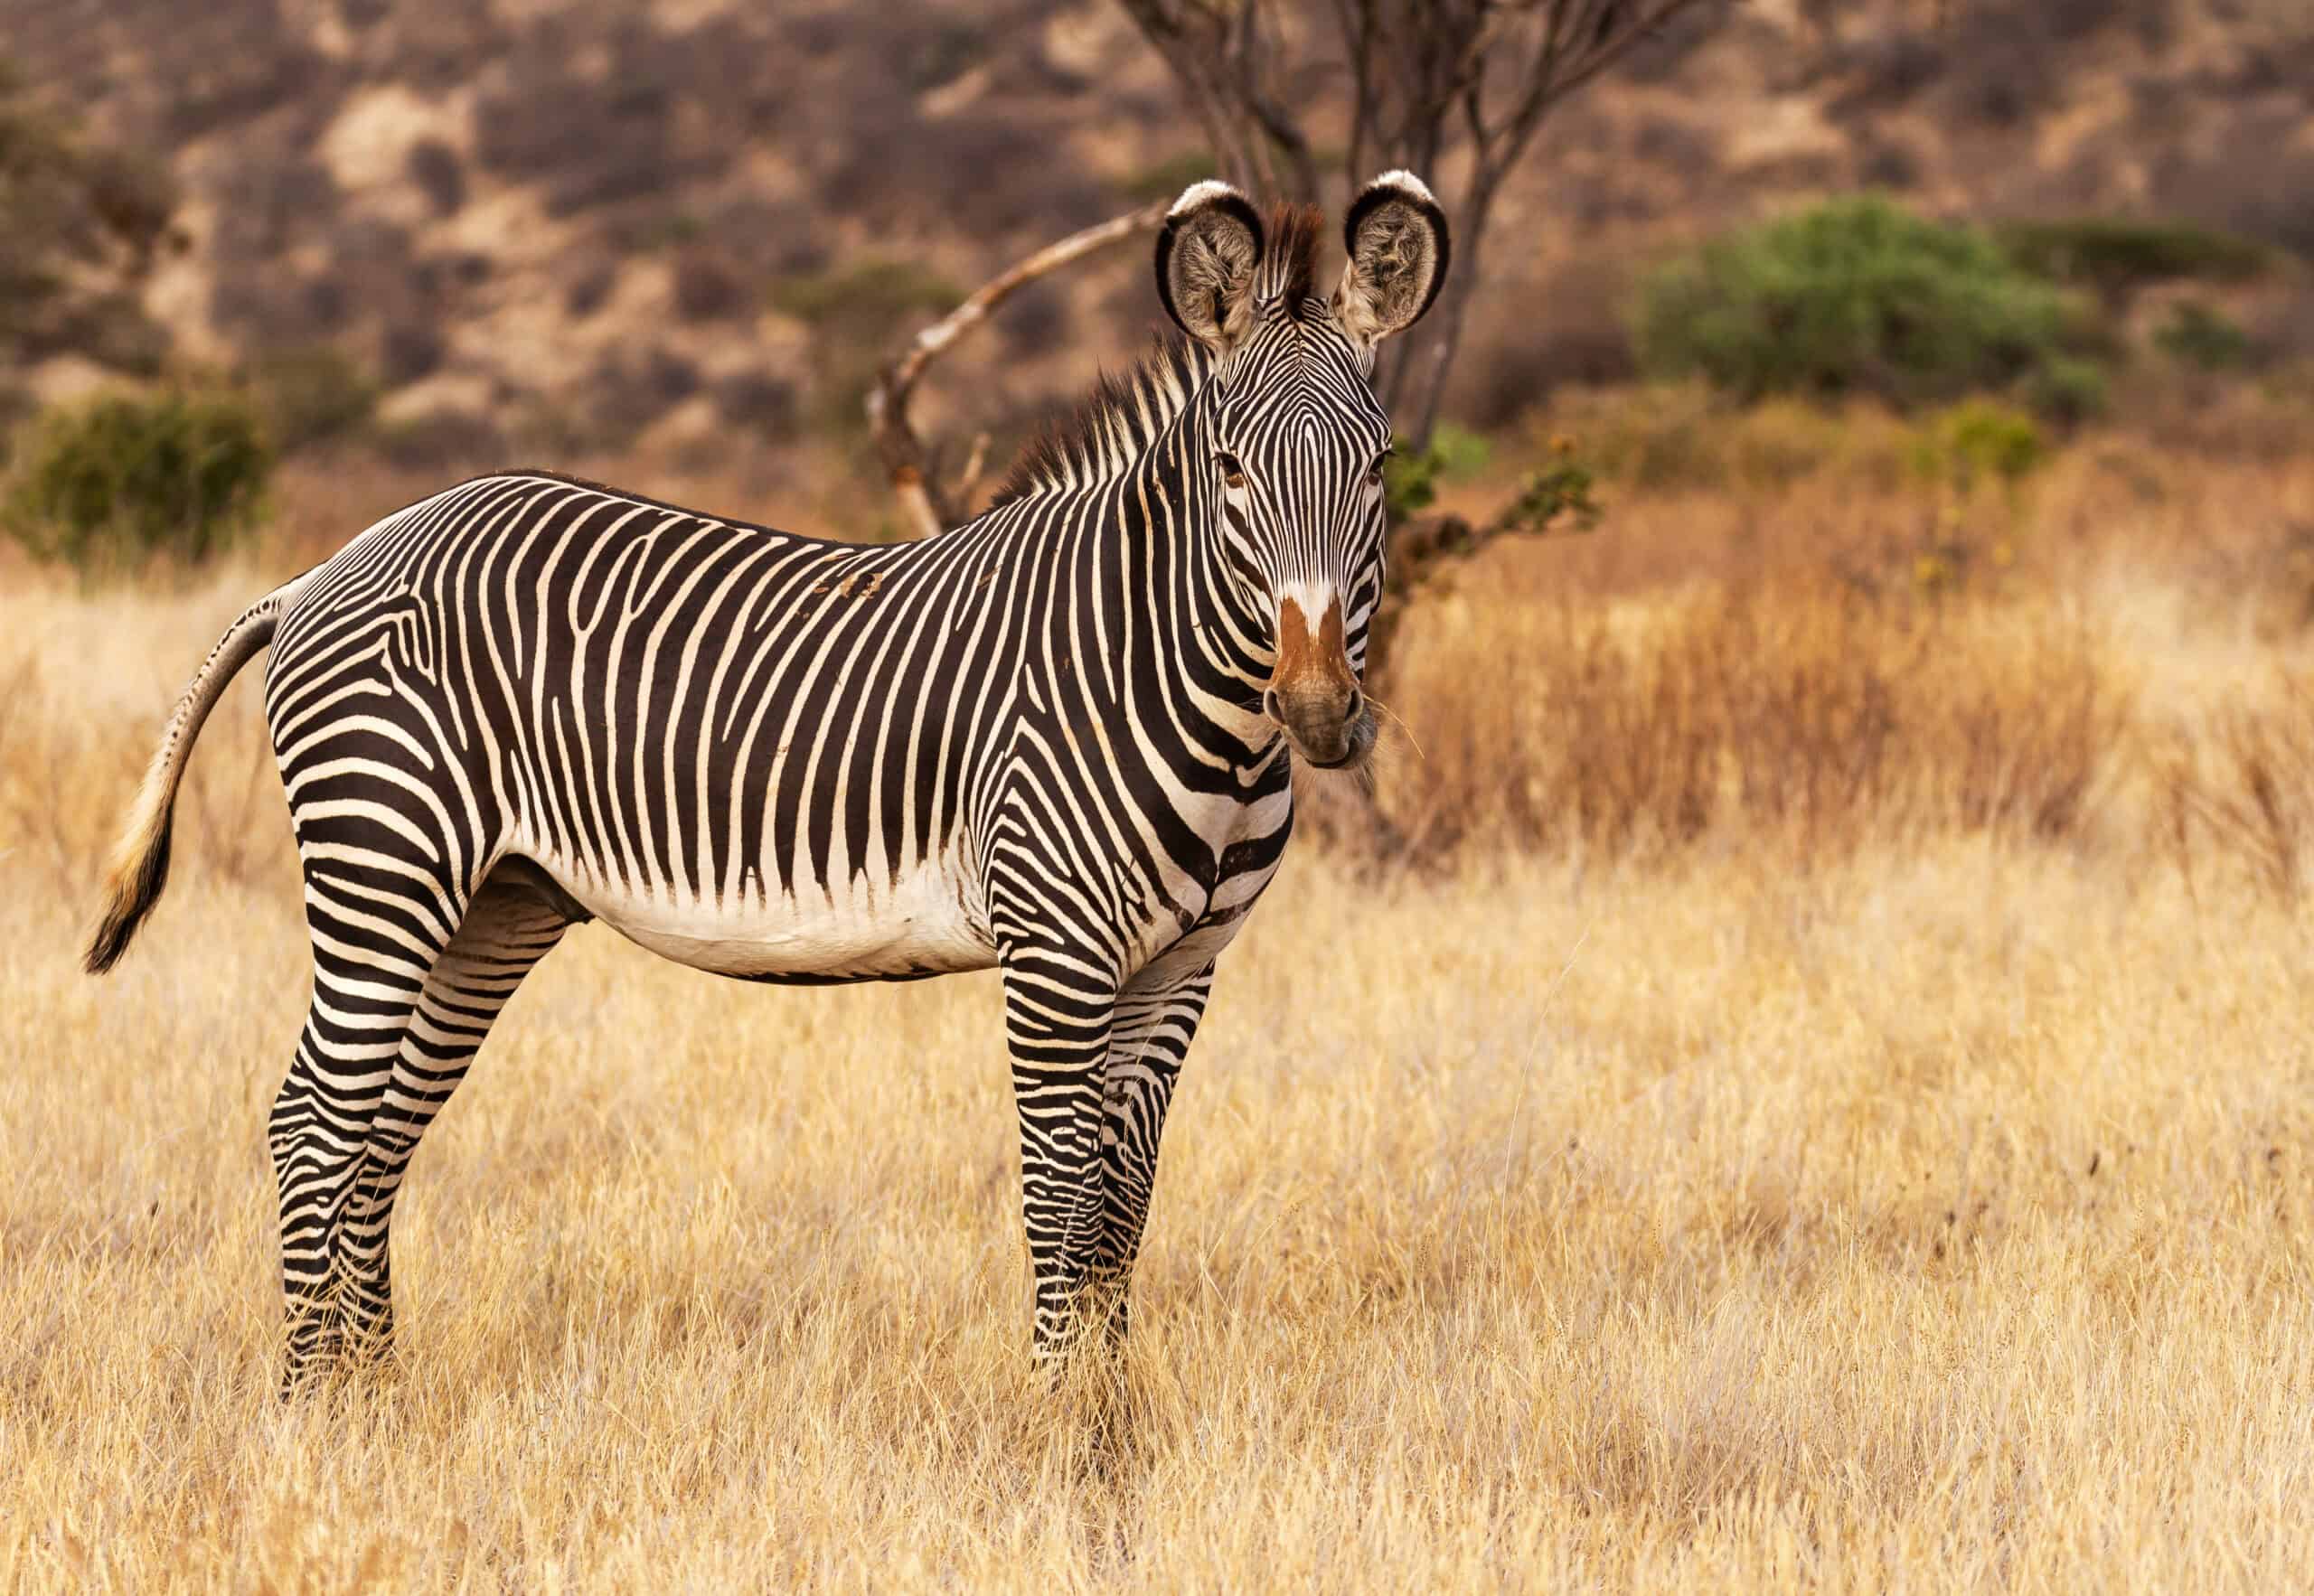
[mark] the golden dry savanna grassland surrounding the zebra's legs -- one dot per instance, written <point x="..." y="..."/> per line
<point x="1813" y="1088"/>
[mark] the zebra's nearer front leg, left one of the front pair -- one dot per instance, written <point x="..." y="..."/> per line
<point x="1059" y="1026"/>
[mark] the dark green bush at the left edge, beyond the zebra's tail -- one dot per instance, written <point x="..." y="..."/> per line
<point x="119" y="480"/>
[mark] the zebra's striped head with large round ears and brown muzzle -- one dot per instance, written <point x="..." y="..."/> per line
<point x="1290" y="429"/>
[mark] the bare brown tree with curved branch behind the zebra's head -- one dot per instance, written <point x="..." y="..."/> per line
<point x="1436" y="87"/>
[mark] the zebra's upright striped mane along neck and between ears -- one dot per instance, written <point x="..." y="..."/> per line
<point x="1126" y="411"/>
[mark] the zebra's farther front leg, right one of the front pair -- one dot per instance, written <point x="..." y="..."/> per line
<point x="1151" y="1037"/>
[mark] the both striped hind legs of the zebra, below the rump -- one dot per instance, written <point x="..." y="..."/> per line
<point x="364" y="1088"/>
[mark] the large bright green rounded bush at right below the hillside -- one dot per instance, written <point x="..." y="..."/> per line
<point x="1857" y="297"/>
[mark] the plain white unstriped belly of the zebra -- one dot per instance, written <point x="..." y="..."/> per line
<point x="853" y="931"/>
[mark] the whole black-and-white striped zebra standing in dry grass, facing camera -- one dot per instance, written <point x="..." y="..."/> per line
<point x="1054" y="741"/>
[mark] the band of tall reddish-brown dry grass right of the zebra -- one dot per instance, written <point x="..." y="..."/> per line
<point x="2112" y="660"/>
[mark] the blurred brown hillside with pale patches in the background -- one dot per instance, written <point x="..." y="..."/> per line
<point x="677" y="228"/>
